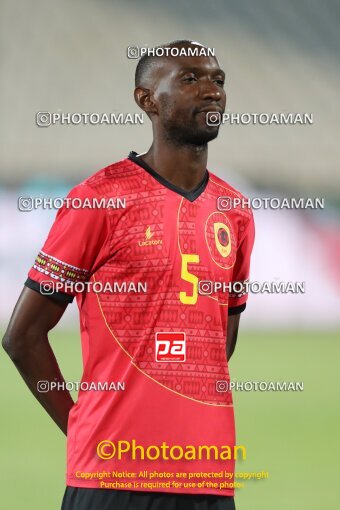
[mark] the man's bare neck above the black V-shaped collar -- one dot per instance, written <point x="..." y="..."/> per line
<point x="184" y="166"/>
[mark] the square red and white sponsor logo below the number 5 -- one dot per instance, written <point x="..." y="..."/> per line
<point x="170" y="347"/>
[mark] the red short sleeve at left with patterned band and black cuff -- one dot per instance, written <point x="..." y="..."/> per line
<point x="74" y="248"/>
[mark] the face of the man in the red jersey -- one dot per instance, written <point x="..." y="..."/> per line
<point x="186" y="88"/>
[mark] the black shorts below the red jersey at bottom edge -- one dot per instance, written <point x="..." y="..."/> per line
<point x="76" y="498"/>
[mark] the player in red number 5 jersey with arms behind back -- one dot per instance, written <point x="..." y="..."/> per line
<point x="167" y="326"/>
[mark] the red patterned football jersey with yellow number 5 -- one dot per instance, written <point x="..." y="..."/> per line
<point x="160" y="331"/>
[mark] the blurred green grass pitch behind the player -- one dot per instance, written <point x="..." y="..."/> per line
<point x="293" y="436"/>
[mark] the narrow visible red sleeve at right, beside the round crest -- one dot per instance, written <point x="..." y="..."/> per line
<point x="239" y="293"/>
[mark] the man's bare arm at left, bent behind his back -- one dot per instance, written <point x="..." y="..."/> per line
<point x="26" y="343"/>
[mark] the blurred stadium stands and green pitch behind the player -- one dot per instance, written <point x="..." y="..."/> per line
<point x="279" y="57"/>
